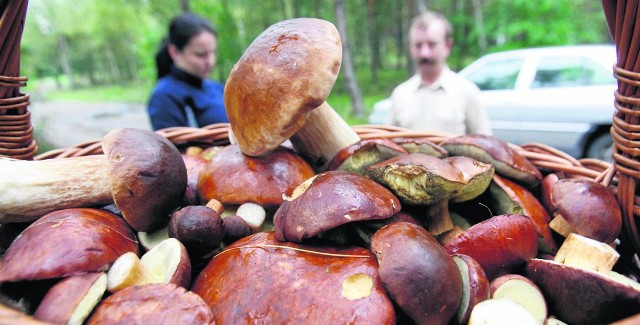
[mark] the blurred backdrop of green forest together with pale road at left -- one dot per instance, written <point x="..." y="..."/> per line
<point x="93" y="59"/>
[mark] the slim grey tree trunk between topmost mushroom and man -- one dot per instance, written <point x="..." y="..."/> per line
<point x="357" y="107"/>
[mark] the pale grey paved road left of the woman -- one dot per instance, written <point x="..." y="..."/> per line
<point x="64" y="124"/>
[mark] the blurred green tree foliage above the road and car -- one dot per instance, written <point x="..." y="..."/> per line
<point x="114" y="42"/>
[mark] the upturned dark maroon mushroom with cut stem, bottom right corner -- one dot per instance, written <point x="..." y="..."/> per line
<point x="580" y="286"/>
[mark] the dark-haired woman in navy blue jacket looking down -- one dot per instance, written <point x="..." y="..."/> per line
<point x="184" y="96"/>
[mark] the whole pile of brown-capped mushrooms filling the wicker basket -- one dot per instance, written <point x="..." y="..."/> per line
<point x="333" y="230"/>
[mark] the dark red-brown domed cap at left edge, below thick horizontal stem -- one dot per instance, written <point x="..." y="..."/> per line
<point x="67" y="242"/>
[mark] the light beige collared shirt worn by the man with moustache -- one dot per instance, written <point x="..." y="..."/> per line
<point x="450" y="104"/>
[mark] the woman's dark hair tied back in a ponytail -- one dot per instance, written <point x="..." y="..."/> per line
<point x="181" y="29"/>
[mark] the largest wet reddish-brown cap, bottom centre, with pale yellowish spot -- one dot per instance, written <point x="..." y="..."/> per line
<point x="261" y="280"/>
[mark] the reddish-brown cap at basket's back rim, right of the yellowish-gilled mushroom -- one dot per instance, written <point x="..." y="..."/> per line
<point x="497" y="152"/>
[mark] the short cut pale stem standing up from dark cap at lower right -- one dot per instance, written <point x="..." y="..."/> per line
<point x="587" y="253"/>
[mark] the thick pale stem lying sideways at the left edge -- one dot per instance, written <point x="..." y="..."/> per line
<point x="31" y="189"/>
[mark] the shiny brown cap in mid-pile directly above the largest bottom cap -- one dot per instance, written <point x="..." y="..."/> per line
<point x="329" y="200"/>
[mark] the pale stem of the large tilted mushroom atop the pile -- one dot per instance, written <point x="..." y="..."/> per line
<point x="323" y="135"/>
